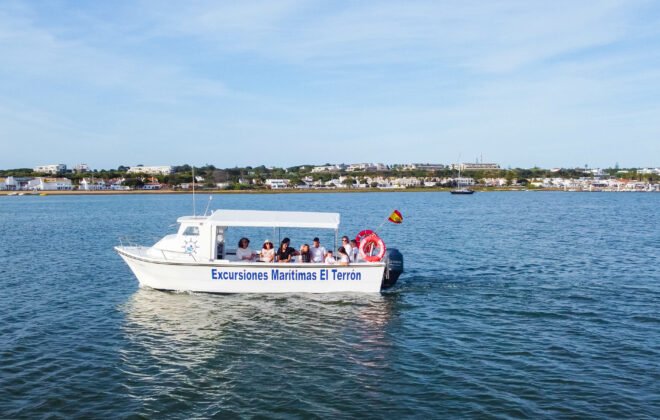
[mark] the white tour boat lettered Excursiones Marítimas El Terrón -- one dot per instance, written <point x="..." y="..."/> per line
<point x="196" y="259"/>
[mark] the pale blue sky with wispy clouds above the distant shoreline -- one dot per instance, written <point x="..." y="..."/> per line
<point x="523" y="83"/>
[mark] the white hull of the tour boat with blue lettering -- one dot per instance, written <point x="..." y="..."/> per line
<point x="234" y="277"/>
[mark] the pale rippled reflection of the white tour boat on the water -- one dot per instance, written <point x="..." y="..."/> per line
<point x="222" y="344"/>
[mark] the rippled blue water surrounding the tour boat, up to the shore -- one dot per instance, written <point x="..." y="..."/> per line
<point x="512" y="305"/>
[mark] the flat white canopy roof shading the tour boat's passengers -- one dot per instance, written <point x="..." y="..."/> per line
<point x="259" y="218"/>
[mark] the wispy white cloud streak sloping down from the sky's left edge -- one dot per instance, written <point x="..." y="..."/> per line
<point x="35" y="53"/>
